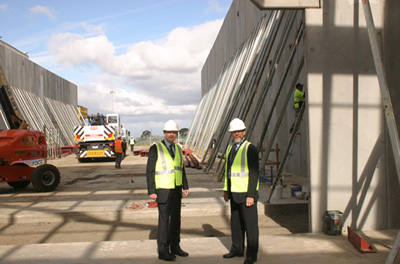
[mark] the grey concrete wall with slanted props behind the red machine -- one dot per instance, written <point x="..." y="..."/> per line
<point x="43" y="98"/>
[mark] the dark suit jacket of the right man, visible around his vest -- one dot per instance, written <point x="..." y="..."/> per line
<point x="252" y="160"/>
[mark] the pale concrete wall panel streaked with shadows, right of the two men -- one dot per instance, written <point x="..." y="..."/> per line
<point x="349" y="148"/>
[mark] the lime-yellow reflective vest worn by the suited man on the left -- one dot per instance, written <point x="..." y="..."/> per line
<point x="168" y="170"/>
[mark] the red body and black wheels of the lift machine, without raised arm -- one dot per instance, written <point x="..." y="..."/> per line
<point x="18" y="146"/>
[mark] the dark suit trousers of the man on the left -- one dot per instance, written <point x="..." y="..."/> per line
<point x="169" y="222"/>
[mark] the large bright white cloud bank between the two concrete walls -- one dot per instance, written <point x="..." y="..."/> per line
<point x="154" y="80"/>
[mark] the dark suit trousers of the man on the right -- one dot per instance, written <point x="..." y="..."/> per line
<point x="244" y="220"/>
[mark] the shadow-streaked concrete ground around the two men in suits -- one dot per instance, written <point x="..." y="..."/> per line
<point x="88" y="219"/>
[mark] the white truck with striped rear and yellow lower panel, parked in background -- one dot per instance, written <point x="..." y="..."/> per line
<point x="96" y="138"/>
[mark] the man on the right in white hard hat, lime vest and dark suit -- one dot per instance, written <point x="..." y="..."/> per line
<point x="241" y="188"/>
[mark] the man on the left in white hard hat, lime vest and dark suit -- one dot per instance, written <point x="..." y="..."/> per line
<point x="166" y="182"/>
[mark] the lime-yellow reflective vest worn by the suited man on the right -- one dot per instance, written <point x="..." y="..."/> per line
<point x="239" y="169"/>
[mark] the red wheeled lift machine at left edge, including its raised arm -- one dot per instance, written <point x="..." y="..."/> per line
<point x="20" y="148"/>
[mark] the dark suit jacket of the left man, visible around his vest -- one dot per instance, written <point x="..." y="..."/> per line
<point x="162" y="194"/>
